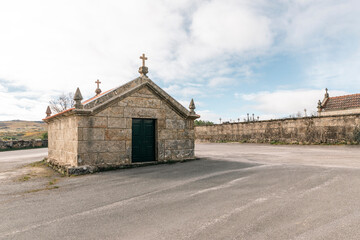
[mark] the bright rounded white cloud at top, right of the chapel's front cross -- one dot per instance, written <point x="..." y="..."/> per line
<point x="227" y="26"/>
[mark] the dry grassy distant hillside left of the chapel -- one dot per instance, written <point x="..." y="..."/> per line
<point x="21" y="130"/>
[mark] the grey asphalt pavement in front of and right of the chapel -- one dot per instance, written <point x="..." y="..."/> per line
<point x="236" y="191"/>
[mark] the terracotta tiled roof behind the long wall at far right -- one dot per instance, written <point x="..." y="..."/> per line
<point x="342" y="102"/>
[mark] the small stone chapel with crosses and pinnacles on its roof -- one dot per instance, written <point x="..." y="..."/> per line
<point x="133" y="124"/>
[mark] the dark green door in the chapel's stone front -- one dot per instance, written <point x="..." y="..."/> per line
<point x="143" y="140"/>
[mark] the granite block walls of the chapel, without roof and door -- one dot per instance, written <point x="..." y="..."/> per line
<point x="104" y="139"/>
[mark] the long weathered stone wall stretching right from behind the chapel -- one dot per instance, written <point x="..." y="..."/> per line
<point x="307" y="130"/>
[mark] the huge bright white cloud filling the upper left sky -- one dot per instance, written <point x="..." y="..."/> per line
<point x="64" y="43"/>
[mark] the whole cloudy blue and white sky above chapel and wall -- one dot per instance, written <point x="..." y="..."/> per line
<point x="270" y="58"/>
